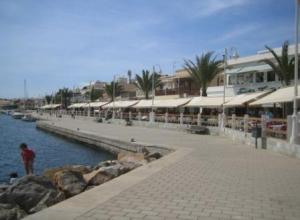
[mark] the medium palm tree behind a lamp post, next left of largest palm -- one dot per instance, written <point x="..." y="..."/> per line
<point x="144" y="82"/>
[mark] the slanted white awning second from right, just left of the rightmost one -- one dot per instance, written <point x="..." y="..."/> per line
<point x="245" y="98"/>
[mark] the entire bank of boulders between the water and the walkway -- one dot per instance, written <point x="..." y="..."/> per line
<point x="31" y="194"/>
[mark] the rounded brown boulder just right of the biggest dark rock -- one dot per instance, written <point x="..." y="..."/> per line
<point x="69" y="182"/>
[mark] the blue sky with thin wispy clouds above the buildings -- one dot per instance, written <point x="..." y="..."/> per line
<point x="68" y="43"/>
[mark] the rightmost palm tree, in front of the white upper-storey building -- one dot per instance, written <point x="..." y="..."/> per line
<point x="283" y="66"/>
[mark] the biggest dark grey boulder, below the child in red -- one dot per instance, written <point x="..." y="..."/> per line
<point x="31" y="191"/>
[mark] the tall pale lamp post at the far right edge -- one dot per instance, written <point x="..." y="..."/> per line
<point x="294" y="133"/>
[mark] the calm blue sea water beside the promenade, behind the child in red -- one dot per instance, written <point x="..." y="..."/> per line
<point x="51" y="150"/>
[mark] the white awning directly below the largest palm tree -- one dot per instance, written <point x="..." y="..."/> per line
<point x="208" y="102"/>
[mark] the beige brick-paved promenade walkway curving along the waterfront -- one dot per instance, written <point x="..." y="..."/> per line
<point x="207" y="177"/>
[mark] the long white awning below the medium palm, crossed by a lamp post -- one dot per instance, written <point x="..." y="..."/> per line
<point x="162" y="103"/>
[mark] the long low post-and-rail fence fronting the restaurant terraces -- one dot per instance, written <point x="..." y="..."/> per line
<point x="276" y="128"/>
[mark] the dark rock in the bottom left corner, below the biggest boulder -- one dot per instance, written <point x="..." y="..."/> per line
<point x="11" y="212"/>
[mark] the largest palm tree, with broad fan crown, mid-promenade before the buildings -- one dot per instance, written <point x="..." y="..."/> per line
<point x="204" y="70"/>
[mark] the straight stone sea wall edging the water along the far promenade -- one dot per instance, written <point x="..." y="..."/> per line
<point x="113" y="146"/>
